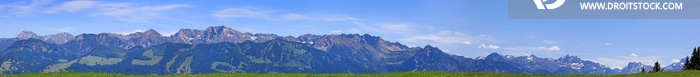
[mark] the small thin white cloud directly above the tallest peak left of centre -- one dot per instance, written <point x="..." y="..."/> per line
<point x="240" y="12"/>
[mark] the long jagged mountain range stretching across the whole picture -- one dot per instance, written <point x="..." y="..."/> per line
<point x="222" y="49"/>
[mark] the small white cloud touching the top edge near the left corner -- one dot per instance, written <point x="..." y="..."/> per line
<point x="72" y="6"/>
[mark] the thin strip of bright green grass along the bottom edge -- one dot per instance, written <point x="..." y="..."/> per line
<point x="402" y="74"/>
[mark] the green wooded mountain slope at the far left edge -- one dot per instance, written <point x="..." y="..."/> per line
<point x="32" y="55"/>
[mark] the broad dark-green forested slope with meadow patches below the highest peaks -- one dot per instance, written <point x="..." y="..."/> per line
<point x="267" y="57"/>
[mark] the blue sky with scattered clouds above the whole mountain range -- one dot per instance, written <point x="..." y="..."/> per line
<point x="468" y="28"/>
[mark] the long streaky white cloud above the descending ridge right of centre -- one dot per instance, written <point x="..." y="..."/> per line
<point x="407" y="33"/>
